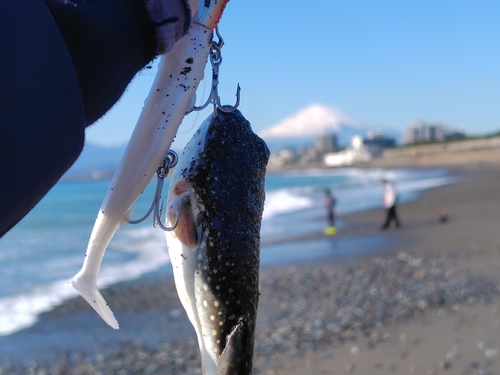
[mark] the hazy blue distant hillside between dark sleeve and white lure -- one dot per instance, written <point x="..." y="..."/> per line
<point x="96" y="162"/>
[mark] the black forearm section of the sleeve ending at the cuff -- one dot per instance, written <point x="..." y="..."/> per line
<point x="109" y="41"/>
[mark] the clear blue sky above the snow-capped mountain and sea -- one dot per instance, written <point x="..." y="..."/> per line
<point x="382" y="63"/>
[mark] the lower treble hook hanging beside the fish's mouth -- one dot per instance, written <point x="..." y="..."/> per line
<point x="170" y="161"/>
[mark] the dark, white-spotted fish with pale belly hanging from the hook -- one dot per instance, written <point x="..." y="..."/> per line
<point x="216" y="197"/>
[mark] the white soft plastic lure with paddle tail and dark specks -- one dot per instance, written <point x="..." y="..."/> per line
<point x="179" y="73"/>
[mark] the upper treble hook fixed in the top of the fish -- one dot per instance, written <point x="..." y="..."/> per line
<point x="215" y="61"/>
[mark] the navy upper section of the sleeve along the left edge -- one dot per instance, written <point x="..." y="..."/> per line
<point x="41" y="108"/>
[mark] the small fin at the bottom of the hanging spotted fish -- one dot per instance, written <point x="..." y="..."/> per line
<point x="234" y="358"/>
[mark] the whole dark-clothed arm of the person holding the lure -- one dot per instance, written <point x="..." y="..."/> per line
<point x="64" y="64"/>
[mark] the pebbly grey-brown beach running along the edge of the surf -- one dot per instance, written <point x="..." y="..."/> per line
<point x="427" y="304"/>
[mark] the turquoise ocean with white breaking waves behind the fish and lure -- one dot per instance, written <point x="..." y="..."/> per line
<point x="41" y="254"/>
